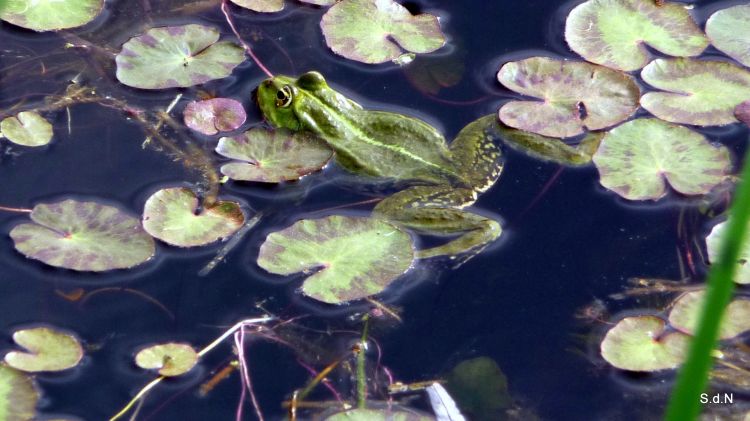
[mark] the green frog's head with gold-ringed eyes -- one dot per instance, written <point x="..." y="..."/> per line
<point x="279" y="98"/>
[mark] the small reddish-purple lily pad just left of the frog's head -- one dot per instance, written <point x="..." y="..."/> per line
<point x="214" y="115"/>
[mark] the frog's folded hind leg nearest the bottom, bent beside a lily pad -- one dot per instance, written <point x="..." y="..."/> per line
<point x="437" y="210"/>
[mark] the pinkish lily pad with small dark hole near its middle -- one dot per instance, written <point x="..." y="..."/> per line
<point x="564" y="88"/>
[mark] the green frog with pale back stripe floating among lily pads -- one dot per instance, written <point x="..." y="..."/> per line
<point x="442" y="179"/>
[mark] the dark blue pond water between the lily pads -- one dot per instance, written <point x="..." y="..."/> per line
<point x="515" y="303"/>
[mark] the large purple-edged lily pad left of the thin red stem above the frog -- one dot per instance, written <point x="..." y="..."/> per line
<point x="176" y="56"/>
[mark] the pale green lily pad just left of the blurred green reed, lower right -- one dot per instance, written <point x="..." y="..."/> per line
<point x="640" y="344"/>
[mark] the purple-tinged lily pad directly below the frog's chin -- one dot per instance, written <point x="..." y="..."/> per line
<point x="272" y="156"/>
